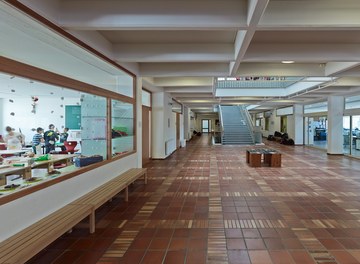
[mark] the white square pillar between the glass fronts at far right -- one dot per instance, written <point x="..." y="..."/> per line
<point x="335" y="124"/>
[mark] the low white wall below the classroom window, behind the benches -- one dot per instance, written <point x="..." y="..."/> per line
<point x="25" y="211"/>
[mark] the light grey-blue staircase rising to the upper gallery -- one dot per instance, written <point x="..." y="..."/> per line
<point x="236" y="130"/>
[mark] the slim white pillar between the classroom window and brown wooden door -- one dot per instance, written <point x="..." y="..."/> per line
<point x="138" y="108"/>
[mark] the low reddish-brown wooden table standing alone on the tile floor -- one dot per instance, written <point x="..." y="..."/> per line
<point x="271" y="157"/>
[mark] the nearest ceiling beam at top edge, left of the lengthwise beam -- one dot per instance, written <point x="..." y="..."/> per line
<point x="155" y="14"/>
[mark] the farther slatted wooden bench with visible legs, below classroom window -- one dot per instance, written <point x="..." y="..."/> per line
<point x="107" y="191"/>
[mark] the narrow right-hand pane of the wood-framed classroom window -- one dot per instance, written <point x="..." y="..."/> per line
<point x="122" y="127"/>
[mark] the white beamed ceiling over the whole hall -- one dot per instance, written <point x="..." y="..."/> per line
<point x="181" y="46"/>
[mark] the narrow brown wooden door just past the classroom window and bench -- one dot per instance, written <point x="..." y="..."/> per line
<point x="146" y="134"/>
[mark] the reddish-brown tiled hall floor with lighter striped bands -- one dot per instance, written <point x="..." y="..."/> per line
<point x="204" y="204"/>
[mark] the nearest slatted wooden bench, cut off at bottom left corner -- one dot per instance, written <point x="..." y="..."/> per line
<point x="27" y="243"/>
